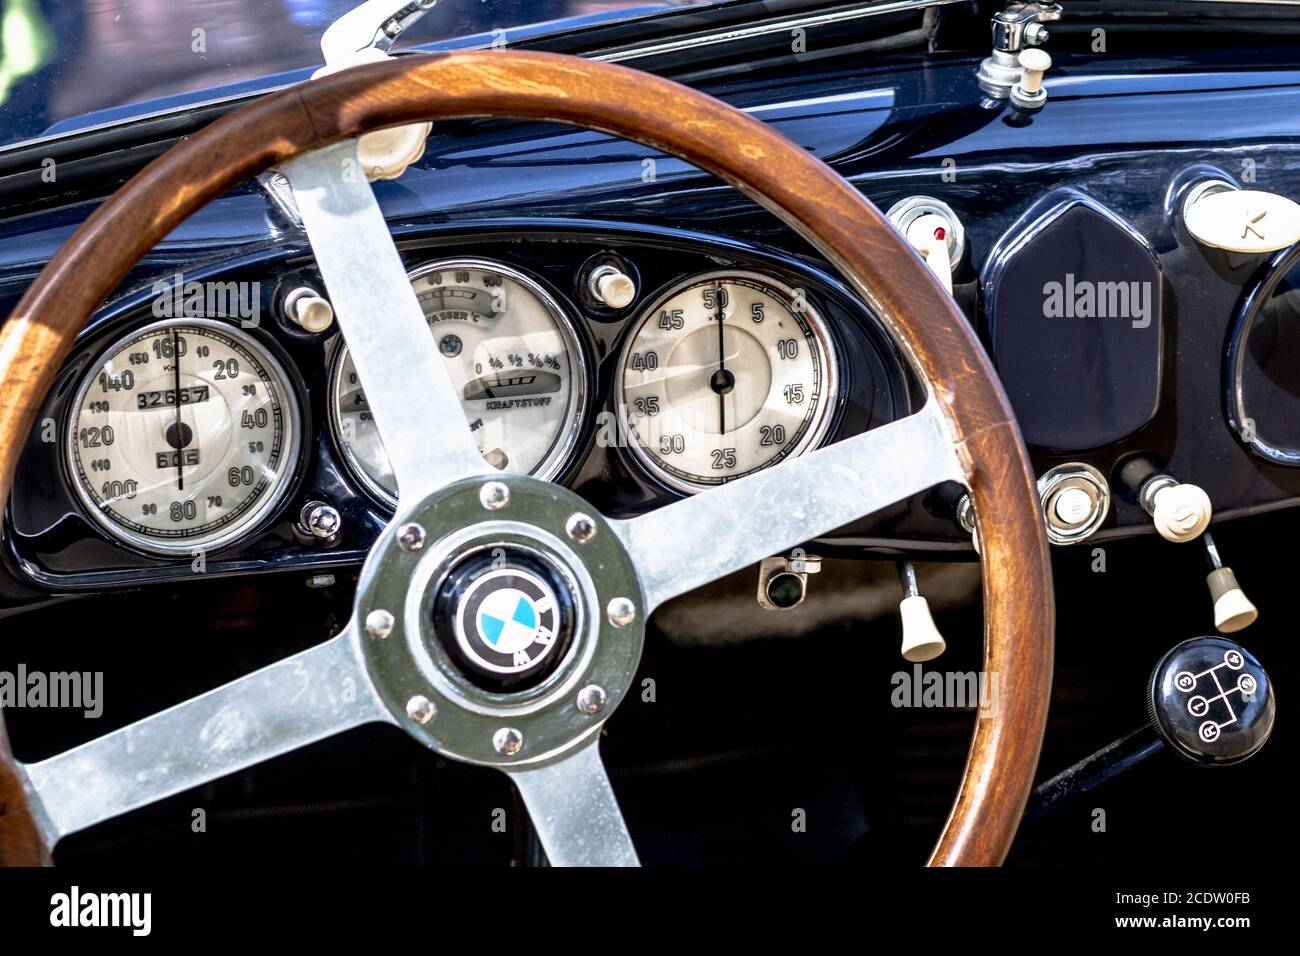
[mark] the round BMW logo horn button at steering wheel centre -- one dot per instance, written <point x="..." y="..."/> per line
<point x="506" y="617"/>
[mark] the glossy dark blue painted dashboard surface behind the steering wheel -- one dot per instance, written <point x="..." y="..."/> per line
<point x="1129" y="133"/>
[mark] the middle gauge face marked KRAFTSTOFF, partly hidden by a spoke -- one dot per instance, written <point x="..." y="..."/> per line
<point x="514" y="361"/>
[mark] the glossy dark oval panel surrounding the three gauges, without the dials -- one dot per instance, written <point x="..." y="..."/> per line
<point x="53" y="544"/>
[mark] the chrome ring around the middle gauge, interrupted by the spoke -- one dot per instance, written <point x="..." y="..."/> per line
<point x="561" y="455"/>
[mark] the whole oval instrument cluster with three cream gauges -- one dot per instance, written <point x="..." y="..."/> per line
<point x="206" y="439"/>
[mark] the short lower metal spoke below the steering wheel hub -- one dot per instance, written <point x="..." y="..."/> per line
<point x="575" y="812"/>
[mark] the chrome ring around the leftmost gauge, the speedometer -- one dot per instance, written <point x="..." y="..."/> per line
<point x="242" y="527"/>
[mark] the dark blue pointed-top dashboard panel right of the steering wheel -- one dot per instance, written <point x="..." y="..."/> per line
<point x="1074" y="305"/>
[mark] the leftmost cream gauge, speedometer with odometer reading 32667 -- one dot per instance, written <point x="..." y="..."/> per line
<point x="183" y="436"/>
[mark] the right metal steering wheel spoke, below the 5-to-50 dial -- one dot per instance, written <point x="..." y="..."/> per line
<point x="699" y="540"/>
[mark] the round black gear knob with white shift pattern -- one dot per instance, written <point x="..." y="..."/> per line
<point x="1212" y="702"/>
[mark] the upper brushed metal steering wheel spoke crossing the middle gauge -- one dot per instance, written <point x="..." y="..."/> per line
<point x="408" y="386"/>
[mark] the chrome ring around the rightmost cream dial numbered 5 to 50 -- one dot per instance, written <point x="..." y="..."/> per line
<point x="829" y="366"/>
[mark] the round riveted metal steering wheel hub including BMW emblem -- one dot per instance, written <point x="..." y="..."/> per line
<point x="500" y="621"/>
